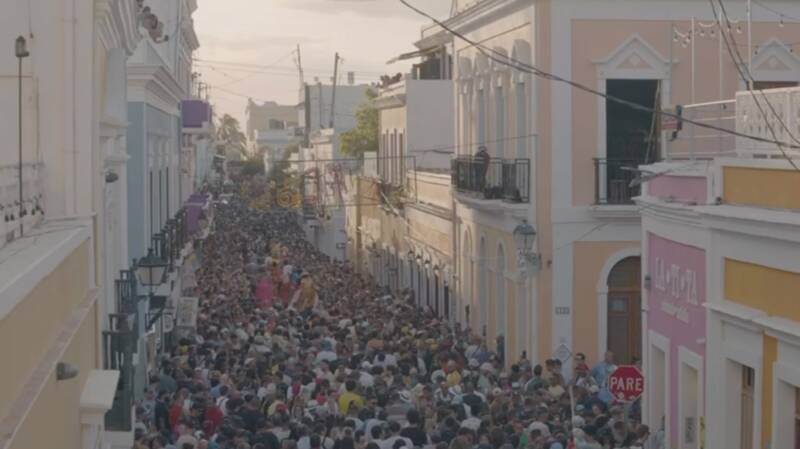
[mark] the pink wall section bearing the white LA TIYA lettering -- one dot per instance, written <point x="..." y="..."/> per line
<point x="675" y="305"/>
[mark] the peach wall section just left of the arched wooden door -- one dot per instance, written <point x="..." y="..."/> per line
<point x="589" y="258"/>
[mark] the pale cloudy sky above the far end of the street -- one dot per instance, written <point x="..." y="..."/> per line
<point x="247" y="47"/>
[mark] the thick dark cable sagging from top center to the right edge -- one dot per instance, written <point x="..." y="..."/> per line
<point x="527" y="68"/>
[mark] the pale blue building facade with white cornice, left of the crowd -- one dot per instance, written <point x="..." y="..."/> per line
<point x="159" y="80"/>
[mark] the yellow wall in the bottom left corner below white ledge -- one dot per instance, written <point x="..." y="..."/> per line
<point x="37" y="321"/>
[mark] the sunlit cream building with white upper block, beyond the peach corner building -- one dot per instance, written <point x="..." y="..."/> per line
<point x="403" y="216"/>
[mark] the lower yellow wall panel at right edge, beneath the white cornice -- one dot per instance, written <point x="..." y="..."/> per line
<point x="767" y="289"/>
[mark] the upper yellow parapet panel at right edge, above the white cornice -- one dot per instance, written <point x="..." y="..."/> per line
<point x="761" y="187"/>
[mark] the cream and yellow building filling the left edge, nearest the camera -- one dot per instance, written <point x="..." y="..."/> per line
<point x="55" y="270"/>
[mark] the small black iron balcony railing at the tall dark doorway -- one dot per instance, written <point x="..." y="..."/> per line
<point x="612" y="183"/>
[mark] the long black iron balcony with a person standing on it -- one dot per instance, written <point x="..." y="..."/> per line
<point x="499" y="179"/>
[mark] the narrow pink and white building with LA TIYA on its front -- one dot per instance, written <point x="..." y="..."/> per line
<point x="674" y="319"/>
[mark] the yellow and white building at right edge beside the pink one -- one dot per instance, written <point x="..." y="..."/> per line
<point x="753" y="341"/>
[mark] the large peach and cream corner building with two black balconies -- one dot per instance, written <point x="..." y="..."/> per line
<point x="557" y="153"/>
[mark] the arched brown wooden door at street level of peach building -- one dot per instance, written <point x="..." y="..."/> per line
<point x="625" y="310"/>
